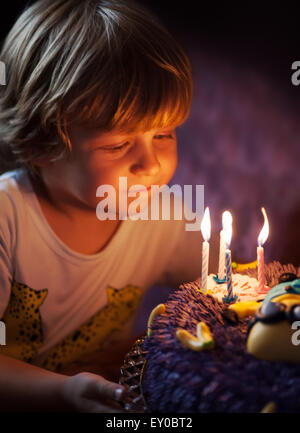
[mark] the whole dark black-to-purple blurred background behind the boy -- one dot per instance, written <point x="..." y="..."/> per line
<point x="242" y="140"/>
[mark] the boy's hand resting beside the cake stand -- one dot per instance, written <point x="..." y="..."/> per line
<point x="88" y="392"/>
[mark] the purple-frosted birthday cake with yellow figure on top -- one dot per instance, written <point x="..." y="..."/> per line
<point x="203" y="355"/>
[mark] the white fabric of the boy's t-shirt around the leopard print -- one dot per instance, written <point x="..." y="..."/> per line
<point x="140" y="254"/>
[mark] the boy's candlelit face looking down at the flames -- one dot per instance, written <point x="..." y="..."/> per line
<point x="97" y="158"/>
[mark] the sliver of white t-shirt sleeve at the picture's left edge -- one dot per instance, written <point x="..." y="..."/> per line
<point x="7" y="240"/>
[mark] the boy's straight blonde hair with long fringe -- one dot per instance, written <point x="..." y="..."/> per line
<point x="100" y="63"/>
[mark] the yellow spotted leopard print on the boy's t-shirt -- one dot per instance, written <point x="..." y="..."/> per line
<point x="24" y="333"/>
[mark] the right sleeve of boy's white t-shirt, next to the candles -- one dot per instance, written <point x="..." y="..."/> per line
<point x="184" y="264"/>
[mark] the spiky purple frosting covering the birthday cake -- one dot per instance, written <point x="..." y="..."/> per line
<point x="224" y="379"/>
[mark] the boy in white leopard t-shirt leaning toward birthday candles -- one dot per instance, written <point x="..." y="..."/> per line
<point x="94" y="93"/>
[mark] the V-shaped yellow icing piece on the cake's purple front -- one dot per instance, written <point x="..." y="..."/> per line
<point x="204" y="339"/>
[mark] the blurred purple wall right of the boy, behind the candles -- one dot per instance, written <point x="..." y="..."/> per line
<point x="242" y="141"/>
